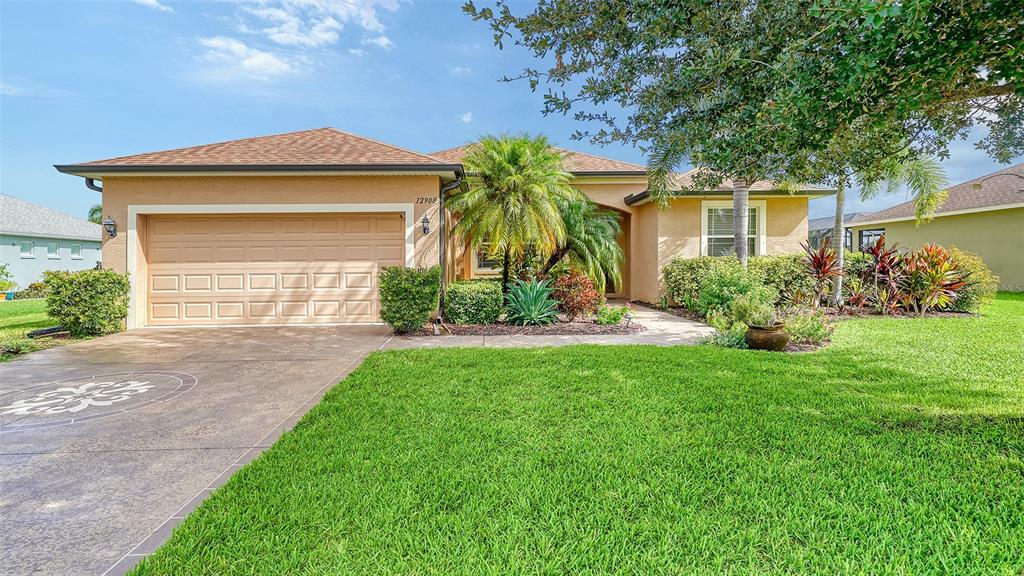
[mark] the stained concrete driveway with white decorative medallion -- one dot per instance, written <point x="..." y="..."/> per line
<point x="107" y="444"/>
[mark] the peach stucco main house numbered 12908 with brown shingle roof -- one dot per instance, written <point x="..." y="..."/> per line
<point x="293" y="228"/>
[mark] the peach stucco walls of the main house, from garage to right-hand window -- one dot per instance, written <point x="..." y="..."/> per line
<point x="654" y="236"/>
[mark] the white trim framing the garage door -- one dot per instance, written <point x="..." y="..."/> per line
<point x="137" y="305"/>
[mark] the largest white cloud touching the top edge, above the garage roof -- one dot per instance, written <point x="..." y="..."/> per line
<point x="315" y="23"/>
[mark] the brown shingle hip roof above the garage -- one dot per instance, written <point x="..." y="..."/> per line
<point x="318" y="147"/>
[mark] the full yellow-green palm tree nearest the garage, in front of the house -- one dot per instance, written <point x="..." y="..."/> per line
<point x="513" y="200"/>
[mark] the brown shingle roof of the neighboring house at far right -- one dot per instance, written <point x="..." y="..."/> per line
<point x="998" y="189"/>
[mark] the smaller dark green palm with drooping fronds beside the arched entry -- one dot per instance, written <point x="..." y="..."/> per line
<point x="591" y="244"/>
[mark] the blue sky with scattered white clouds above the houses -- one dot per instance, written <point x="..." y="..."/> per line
<point x="90" y="80"/>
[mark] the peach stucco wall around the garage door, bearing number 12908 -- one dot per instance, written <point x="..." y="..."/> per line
<point x="121" y="192"/>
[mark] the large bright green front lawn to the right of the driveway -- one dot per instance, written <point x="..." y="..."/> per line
<point x="898" y="450"/>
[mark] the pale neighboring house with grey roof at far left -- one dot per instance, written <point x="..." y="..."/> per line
<point x="34" y="239"/>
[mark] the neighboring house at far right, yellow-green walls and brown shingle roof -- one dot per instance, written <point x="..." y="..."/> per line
<point x="985" y="216"/>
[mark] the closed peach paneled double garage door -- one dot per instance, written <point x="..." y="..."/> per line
<point x="269" y="269"/>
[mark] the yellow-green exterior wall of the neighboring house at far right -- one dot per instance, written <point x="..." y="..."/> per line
<point x="997" y="236"/>
